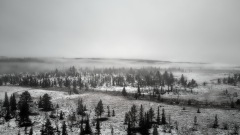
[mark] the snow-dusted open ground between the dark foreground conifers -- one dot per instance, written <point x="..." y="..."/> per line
<point x="121" y="105"/>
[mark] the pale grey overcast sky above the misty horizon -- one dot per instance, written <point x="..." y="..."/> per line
<point x="172" y="30"/>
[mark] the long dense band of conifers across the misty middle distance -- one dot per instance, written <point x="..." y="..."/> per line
<point x="79" y="79"/>
